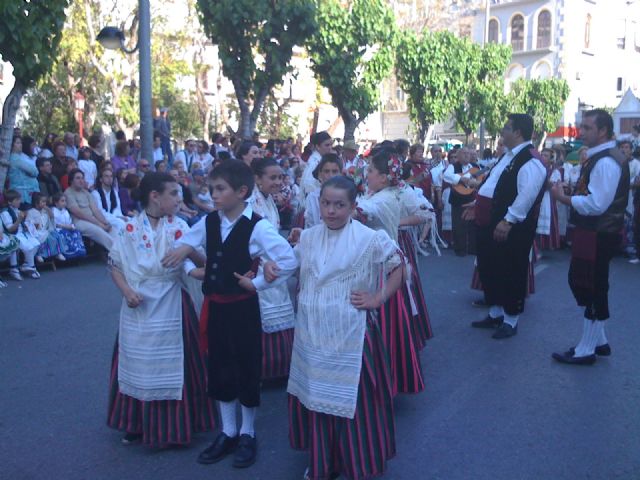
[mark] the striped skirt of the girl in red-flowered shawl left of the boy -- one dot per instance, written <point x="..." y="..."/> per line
<point x="167" y="422"/>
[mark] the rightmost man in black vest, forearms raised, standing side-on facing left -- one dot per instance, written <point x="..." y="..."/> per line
<point x="597" y="211"/>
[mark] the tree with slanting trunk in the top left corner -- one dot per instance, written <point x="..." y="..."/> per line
<point x="30" y="33"/>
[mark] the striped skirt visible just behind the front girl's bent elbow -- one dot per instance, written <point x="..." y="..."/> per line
<point x="397" y="336"/>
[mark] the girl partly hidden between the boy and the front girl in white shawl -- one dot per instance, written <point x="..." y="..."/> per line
<point x="276" y="309"/>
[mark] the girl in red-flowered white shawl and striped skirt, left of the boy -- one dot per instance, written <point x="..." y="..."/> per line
<point x="158" y="376"/>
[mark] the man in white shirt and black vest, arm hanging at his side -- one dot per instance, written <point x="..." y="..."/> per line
<point x="506" y="215"/>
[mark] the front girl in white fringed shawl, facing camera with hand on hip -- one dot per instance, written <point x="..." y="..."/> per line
<point x="340" y="403"/>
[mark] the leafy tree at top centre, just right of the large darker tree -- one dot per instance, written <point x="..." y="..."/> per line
<point x="352" y="53"/>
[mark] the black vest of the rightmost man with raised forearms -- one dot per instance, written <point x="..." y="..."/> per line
<point x="612" y="220"/>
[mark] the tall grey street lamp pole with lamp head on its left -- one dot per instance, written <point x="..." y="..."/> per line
<point x="113" y="39"/>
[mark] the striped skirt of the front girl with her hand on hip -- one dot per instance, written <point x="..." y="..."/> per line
<point x="355" y="448"/>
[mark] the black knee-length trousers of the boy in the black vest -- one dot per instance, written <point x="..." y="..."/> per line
<point x="235" y="351"/>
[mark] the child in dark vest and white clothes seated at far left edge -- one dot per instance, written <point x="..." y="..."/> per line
<point x="14" y="222"/>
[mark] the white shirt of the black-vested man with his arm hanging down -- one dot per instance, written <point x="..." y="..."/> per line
<point x="531" y="177"/>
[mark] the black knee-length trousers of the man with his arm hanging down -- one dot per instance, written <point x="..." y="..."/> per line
<point x="504" y="267"/>
